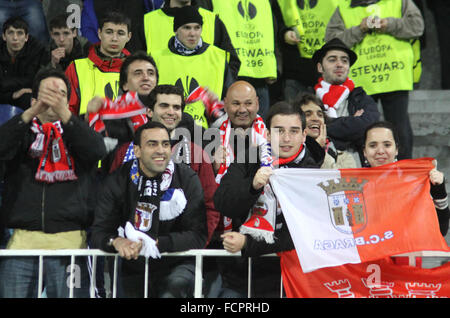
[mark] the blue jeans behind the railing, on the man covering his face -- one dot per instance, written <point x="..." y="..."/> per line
<point x="19" y="277"/>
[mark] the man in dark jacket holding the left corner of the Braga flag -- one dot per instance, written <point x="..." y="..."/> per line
<point x="245" y="188"/>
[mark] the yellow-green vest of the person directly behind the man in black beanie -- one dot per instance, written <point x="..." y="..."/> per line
<point x="158" y="28"/>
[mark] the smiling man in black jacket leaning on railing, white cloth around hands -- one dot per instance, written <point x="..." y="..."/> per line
<point x="162" y="203"/>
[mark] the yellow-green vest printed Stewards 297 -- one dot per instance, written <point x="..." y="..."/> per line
<point x="384" y="64"/>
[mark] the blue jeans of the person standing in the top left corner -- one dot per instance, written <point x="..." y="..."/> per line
<point x="31" y="11"/>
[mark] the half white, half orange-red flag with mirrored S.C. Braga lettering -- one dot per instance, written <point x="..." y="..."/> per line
<point x="345" y="216"/>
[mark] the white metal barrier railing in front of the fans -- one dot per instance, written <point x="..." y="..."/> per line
<point x="199" y="254"/>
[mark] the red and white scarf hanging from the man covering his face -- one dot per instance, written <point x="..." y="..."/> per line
<point x="55" y="163"/>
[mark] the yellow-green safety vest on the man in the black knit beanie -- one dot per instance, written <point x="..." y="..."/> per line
<point x="189" y="72"/>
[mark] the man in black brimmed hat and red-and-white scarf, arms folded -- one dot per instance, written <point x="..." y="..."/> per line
<point x="349" y="108"/>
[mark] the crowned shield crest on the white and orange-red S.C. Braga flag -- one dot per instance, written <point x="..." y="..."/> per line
<point x="346" y="204"/>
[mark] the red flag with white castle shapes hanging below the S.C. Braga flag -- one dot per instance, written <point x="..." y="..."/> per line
<point x="378" y="279"/>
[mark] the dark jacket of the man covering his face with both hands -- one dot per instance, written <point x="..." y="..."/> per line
<point x="49" y="207"/>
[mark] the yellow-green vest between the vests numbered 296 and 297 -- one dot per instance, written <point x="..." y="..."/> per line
<point x="310" y="22"/>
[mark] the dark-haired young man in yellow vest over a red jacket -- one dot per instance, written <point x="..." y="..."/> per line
<point x="98" y="74"/>
